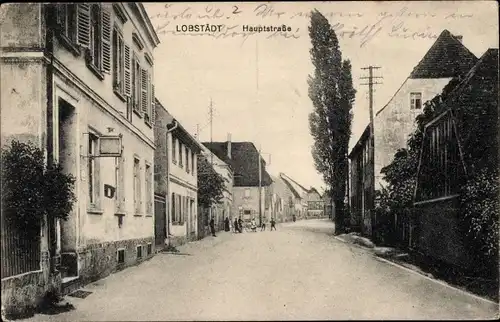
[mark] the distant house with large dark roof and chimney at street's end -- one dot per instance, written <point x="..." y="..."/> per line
<point x="245" y="163"/>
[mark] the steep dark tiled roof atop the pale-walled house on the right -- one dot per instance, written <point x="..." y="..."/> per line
<point x="447" y="57"/>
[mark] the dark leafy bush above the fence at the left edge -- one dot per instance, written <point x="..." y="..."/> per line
<point x="31" y="189"/>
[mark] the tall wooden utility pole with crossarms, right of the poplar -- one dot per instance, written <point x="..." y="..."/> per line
<point x="372" y="138"/>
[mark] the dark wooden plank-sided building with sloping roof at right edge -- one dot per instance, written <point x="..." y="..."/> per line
<point x="443" y="164"/>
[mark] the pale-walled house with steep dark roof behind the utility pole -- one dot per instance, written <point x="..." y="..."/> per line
<point x="447" y="58"/>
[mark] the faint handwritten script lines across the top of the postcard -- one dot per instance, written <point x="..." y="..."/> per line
<point x="230" y="17"/>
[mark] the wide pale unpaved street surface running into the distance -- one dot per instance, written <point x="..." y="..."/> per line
<point x="297" y="272"/>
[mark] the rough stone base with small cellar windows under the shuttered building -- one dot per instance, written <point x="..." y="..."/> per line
<point x="97" y="261"/>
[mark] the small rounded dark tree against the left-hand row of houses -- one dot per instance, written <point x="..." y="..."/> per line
<point x="210" y="183"/>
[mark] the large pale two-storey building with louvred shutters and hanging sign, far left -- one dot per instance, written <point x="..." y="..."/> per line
<point x="94" y="86"/>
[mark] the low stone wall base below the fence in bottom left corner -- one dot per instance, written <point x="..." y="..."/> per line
<point x="21" y="294"/>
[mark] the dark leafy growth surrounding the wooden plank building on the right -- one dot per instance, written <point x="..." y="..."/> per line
<point x="475" y="110"/>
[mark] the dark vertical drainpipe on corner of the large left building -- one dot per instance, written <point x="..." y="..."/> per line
<point x="49" y="51"/>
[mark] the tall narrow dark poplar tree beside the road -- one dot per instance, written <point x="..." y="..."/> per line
<point x="332" y="94"/>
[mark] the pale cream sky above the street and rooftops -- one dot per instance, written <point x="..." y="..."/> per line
<point x="257" y="82"/>
